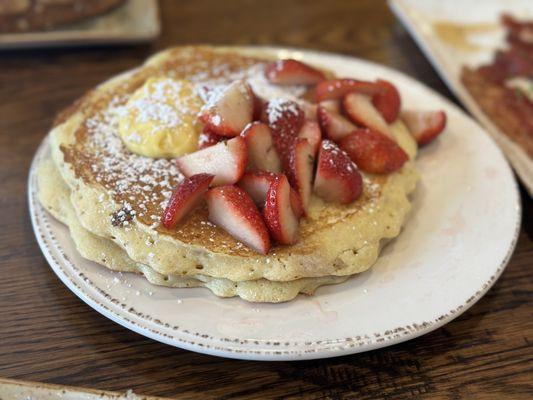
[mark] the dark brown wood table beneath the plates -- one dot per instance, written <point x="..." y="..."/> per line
<point x="47" y="334"/>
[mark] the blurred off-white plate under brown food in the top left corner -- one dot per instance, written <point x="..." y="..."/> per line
<point x="134" y="21"/>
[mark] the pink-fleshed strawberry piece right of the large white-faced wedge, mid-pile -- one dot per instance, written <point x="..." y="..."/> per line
<point x="262" y="154"/>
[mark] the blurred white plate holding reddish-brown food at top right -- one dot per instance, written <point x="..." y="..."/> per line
<point x="419" y="17"/>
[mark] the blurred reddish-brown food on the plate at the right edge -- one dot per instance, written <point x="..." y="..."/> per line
<point x="504" y="88"/>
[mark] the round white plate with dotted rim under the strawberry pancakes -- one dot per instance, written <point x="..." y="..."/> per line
<point x="456" y="243"/>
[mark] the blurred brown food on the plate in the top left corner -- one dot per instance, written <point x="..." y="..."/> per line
<point x="36" y="15"/>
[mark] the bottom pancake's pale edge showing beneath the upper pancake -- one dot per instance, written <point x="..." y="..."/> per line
<point x="54" y="195"/>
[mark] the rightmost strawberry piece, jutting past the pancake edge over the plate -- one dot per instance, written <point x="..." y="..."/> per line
<point x="424" y="125"/>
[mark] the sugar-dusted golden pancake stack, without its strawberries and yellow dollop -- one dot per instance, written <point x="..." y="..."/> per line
<point x="112" y="199"/>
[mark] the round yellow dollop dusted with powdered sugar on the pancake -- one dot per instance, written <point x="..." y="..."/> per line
<point x="160" y="119"/>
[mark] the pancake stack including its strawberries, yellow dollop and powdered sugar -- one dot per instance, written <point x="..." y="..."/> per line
<point x="254" y="178"/>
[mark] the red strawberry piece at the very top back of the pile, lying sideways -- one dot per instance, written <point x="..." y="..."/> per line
<point x="292" y="72"/>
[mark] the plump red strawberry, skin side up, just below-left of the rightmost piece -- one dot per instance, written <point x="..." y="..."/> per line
<point x="373" y="152"/>
